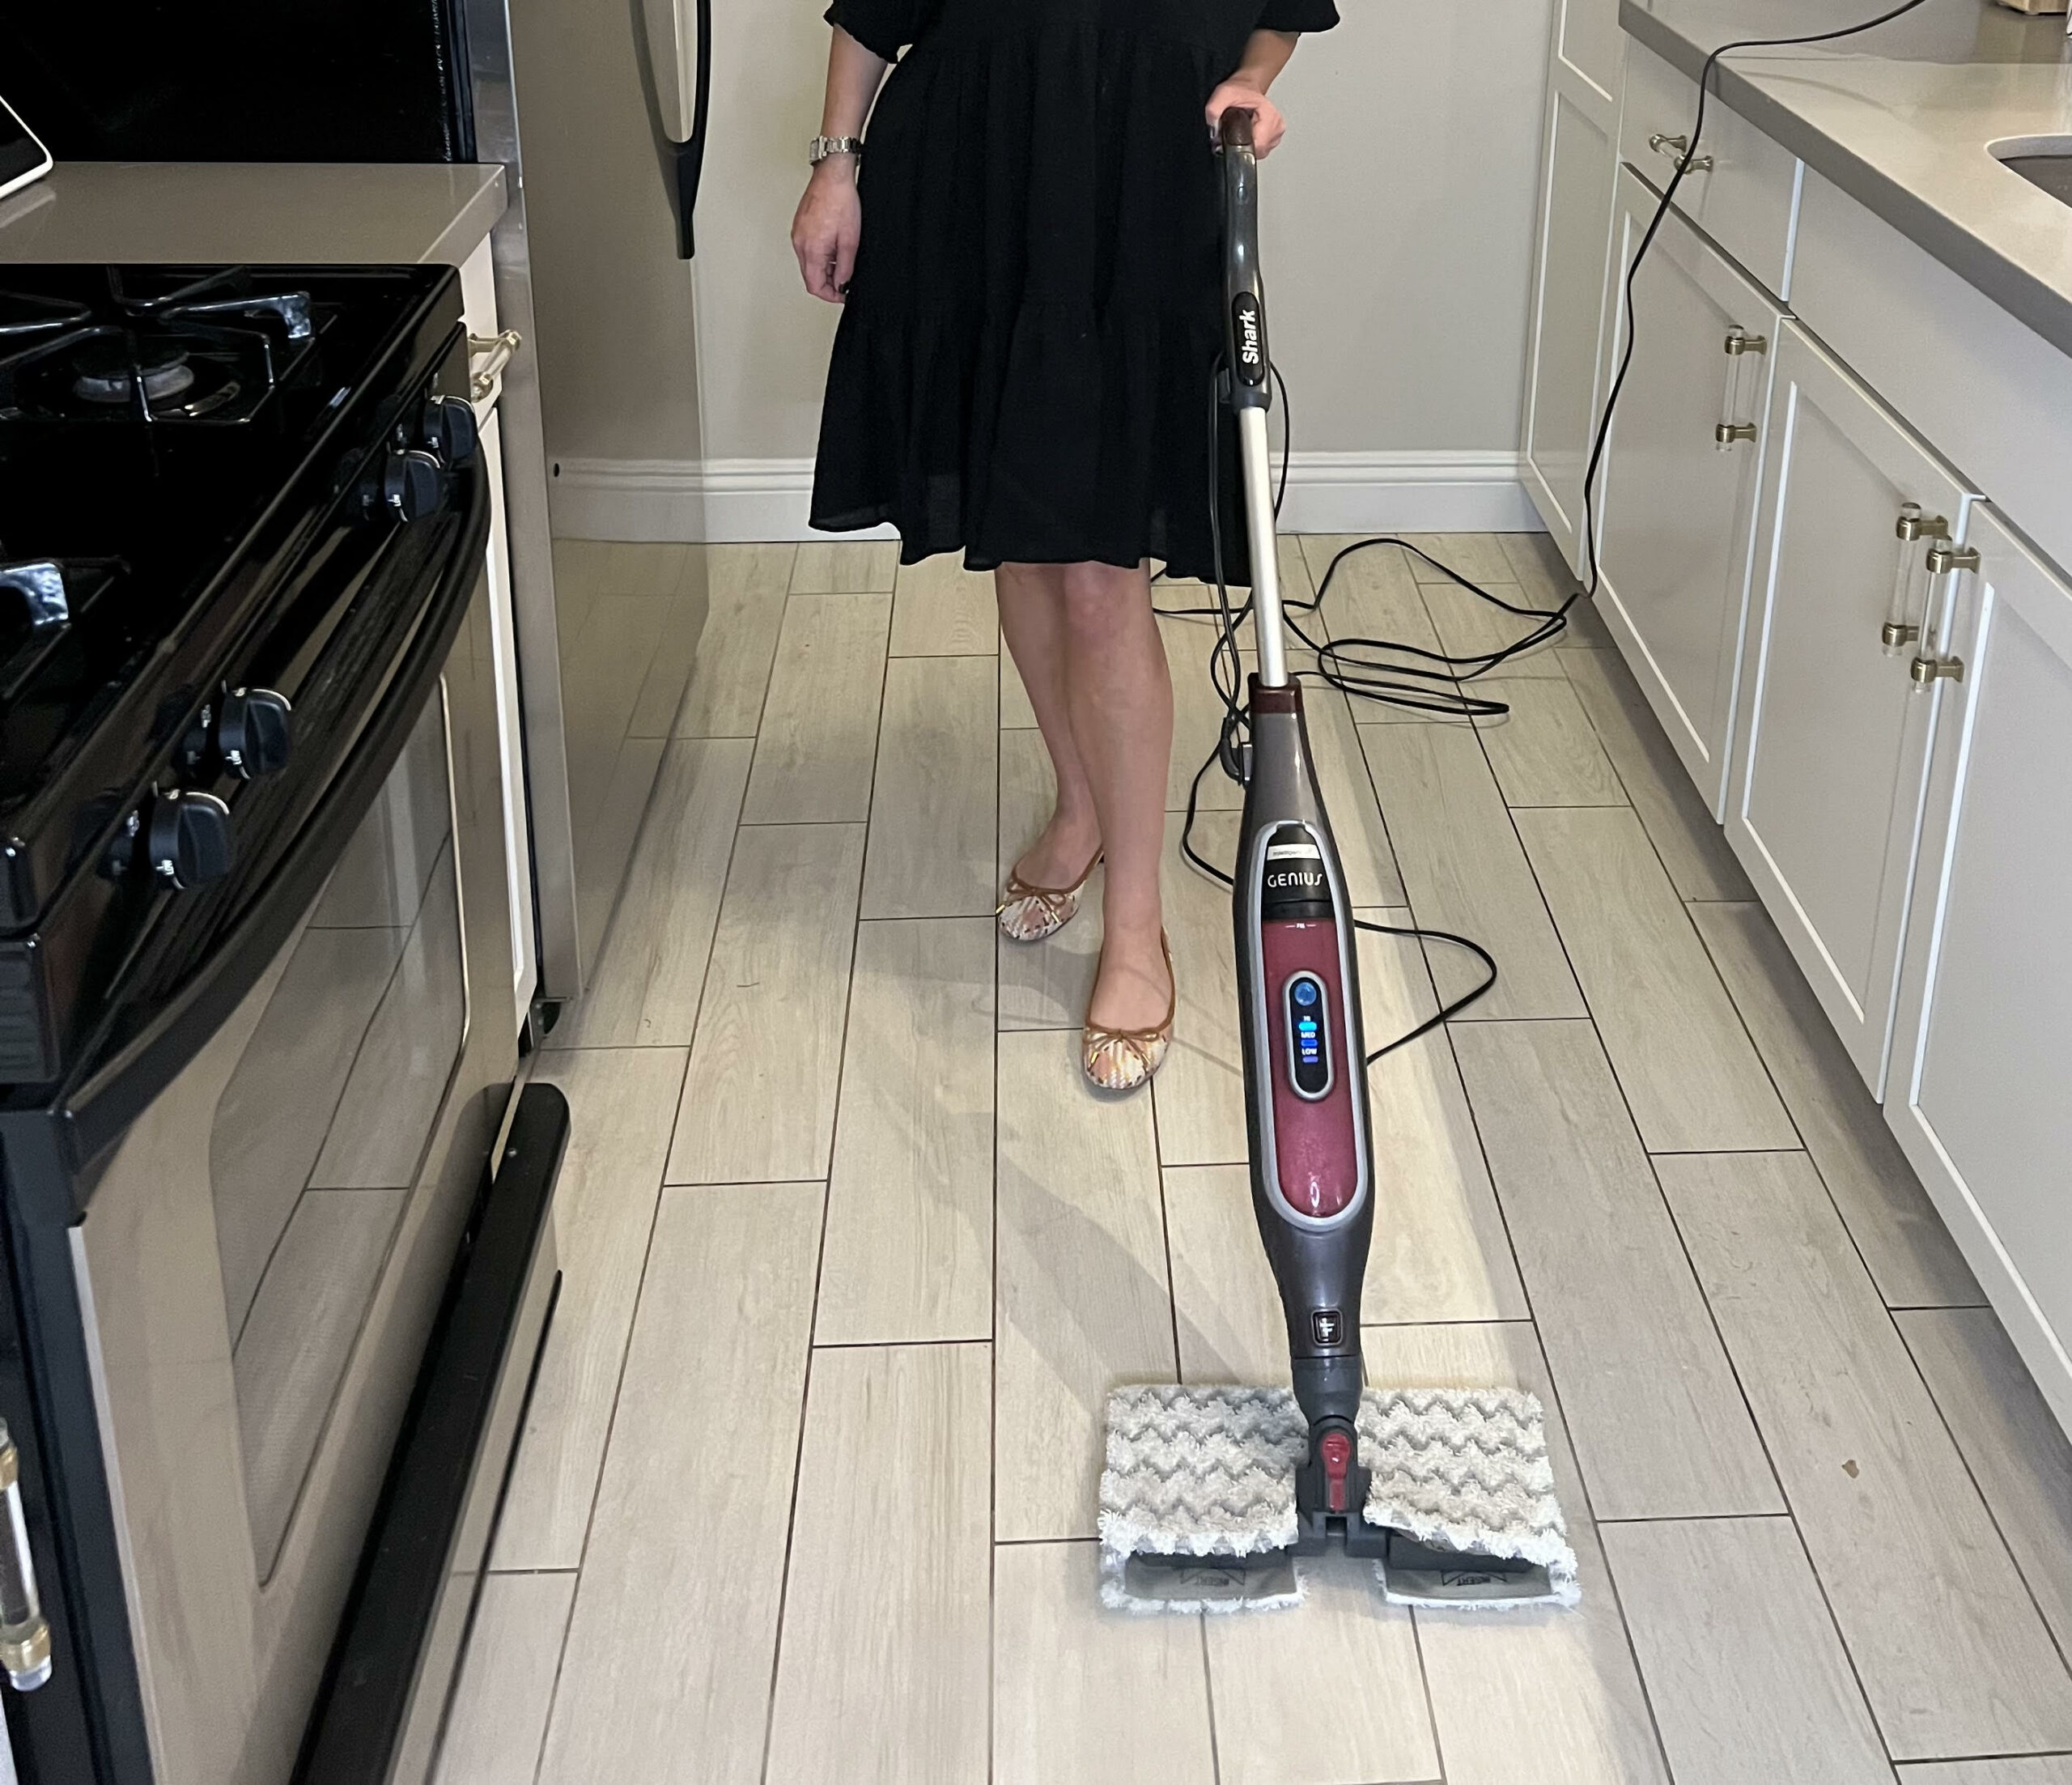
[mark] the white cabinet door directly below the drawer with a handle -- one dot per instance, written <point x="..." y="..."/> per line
<point x="1681" y="474"/>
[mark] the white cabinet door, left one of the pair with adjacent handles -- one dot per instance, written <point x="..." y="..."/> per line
<point x="1826" y="801"/>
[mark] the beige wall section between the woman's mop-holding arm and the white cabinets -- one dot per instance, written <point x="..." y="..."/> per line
<point x="1400" y="225"/>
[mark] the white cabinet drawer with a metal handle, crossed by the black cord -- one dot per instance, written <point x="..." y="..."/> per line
<point x="1748" y="200"/>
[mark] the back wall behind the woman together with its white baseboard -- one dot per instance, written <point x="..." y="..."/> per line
<point x="1400" y="225"/>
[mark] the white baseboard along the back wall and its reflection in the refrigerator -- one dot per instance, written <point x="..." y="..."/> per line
<point x="766" y="499"/>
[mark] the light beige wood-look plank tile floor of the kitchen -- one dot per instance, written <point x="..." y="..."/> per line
<point x="807" y="1490"/>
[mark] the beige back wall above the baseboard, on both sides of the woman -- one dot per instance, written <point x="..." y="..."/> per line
<point x="1400" y="227"/>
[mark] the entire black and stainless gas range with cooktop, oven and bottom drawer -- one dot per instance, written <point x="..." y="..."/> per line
<point x="266" y="1315"/>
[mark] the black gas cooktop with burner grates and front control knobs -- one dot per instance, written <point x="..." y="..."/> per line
<point x="200" y="467"/>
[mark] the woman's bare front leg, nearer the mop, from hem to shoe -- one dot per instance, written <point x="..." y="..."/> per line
<point x="1120" y="698"/>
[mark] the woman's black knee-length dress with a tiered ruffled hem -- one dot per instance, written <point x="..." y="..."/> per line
<point x="1027" y="362"/>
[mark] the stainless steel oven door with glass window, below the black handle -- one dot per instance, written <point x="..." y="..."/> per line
<point x="266" y="1245"/>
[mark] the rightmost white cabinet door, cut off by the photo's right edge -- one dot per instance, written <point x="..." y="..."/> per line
<point x="1982" y="1079"/>
